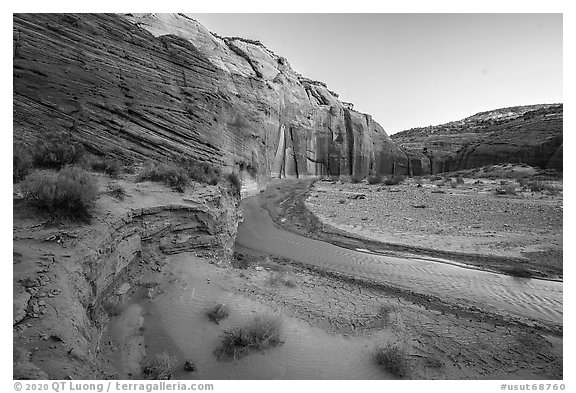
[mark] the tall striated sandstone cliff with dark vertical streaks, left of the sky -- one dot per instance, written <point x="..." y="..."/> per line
<point x="156" y="86"/>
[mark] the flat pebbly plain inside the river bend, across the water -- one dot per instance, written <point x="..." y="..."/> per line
<point x="451" y="218"/>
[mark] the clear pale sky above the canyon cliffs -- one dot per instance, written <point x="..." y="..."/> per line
<point x="412" y="70"/>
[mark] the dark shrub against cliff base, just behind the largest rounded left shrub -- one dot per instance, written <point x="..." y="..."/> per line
<point x="55" y="150"/>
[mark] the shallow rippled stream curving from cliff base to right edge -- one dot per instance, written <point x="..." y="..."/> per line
<point x="532" y="298"/>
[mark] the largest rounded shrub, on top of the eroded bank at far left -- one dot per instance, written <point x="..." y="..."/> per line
<point x="70" y="193"/>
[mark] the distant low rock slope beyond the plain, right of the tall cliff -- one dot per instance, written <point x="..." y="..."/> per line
<point x="527" y="134"/>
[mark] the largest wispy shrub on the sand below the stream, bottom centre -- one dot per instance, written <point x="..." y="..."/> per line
<point x="262" y="333"/>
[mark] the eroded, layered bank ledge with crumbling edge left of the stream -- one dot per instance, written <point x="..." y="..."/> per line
<point x="67" y="280"/>
